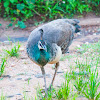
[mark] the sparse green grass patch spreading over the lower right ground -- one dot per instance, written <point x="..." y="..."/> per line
<point x="85" y="82"/>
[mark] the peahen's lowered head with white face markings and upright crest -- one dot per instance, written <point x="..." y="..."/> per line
<point x="41" y="42"/>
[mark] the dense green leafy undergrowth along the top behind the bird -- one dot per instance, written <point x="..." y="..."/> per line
<point x="21" y="10"/>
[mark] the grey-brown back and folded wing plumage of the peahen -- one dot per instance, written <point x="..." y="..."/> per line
<point x="60" y="31"/>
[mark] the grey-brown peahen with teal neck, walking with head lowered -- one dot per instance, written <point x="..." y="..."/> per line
<point x="47" y="43"/>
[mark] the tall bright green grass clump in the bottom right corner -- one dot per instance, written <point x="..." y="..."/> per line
<point x="92" y="86"/>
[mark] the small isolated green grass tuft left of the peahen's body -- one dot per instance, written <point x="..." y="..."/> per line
<point x="14" y="51"/>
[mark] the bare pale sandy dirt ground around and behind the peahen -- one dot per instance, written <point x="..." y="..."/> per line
<point x="14" y="83"/>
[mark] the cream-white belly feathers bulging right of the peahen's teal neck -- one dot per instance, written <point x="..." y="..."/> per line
<point x="56" y="54"/>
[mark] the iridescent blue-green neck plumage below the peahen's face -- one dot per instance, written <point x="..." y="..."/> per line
<point x="40" y="56"/>
